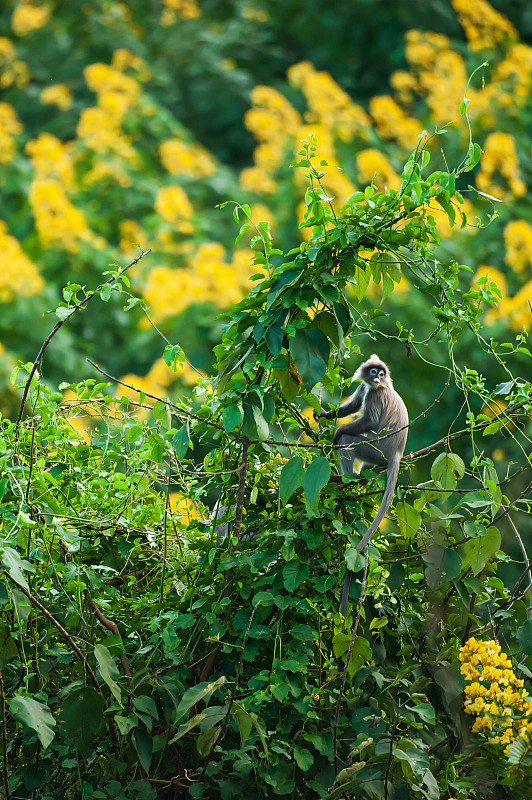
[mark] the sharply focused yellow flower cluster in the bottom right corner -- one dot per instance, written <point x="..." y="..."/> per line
<point x="494" y="695"/>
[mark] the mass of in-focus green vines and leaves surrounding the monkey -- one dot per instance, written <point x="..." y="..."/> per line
<point x="147" y="649"/>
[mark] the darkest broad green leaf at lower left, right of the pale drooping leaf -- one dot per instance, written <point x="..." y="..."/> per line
<point x="82" y="716"/>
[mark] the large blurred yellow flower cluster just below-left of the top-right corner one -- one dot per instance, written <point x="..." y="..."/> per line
<point x="440" y="72"/>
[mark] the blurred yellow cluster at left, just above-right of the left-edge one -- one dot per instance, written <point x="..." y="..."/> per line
<point x="58" y="222"/>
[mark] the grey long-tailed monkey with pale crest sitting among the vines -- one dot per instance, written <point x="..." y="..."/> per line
<point x="377" y="436"/>
